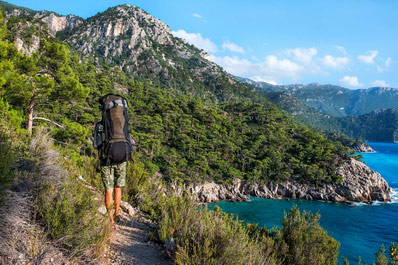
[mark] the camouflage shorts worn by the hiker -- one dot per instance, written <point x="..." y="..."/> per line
<point x="114" y="175"/>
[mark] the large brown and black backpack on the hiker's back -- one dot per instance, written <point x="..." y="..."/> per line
<point x="111" y="135"/>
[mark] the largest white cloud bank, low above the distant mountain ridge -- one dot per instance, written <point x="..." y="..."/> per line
<point x="270" y="70"/>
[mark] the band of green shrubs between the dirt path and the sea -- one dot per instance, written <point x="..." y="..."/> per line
<point x="213" y="237"/>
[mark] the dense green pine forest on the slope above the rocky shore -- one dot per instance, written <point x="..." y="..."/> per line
<point x="188" y="140"/>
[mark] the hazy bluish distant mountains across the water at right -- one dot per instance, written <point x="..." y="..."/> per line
<point x="378" y="125"/>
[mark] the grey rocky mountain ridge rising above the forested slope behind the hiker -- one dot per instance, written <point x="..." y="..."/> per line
<point x="128" y="38"/>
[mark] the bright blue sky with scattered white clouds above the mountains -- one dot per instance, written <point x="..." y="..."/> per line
<point x="349" y="43"/>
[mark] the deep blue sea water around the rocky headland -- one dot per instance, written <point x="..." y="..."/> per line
<point x="361" y="229"/>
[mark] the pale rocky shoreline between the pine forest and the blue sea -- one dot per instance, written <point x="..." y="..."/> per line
<point x="360" y="184"/>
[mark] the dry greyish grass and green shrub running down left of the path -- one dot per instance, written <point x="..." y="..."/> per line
<point x="65" y="205"/>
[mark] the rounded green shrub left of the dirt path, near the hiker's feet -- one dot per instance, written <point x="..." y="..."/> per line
<point x="71" y="215"/>
